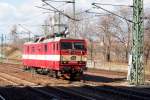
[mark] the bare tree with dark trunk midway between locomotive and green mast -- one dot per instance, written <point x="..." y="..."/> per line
<point x="107" y="29"/>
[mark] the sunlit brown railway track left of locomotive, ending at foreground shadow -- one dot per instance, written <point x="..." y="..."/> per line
<point x="32" y="77"/>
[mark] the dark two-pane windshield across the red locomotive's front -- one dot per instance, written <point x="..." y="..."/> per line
<point x="72" y="45"/>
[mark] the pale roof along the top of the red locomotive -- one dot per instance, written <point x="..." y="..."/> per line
<point x="51" y="40"/>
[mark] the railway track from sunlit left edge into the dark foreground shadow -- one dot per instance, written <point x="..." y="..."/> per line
<point x="51" y="92"/>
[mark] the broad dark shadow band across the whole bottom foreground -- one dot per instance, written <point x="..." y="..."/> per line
<point x="95" y="93"/>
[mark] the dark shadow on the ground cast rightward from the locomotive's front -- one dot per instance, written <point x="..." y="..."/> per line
<point x="94" y="78"/>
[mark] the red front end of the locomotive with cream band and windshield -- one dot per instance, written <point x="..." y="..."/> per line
<point x="73" y="56"/>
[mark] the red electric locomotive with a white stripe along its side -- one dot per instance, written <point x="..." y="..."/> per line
<point x="57" y="56"/>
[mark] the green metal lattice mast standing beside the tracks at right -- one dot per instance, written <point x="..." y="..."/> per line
<point x="137" y="69"/>
